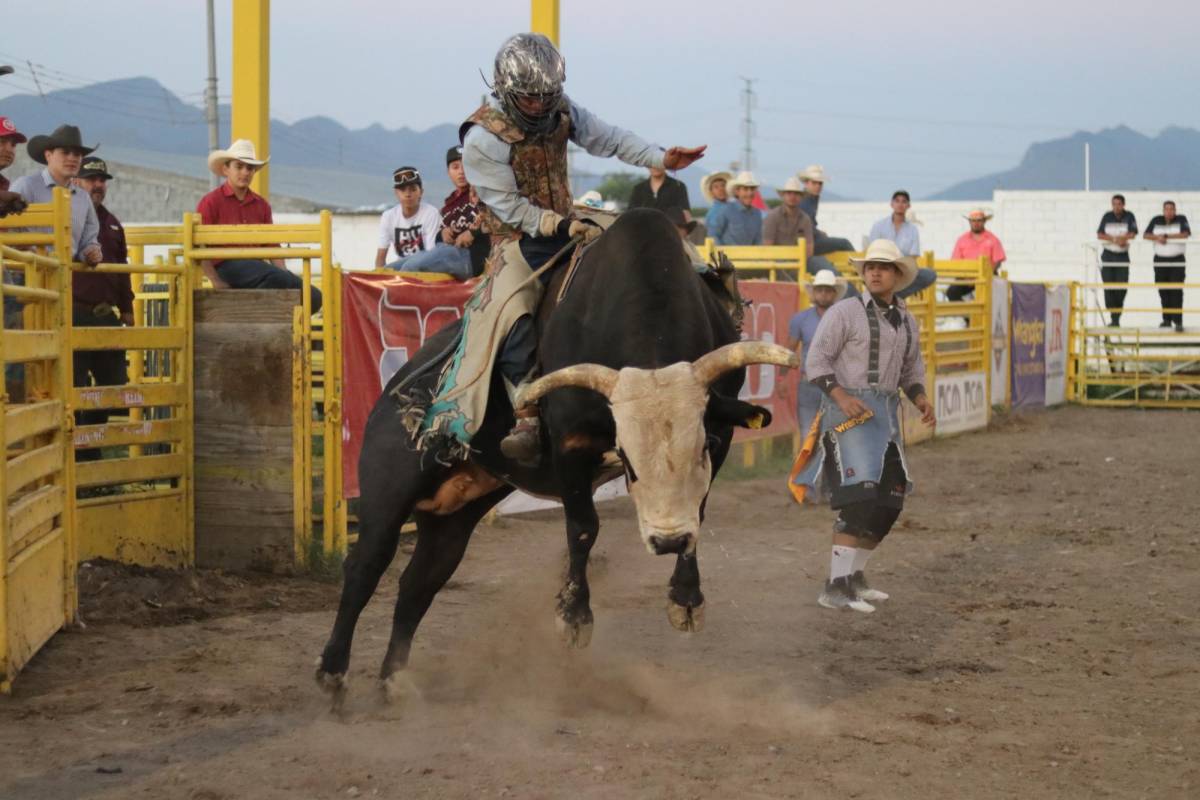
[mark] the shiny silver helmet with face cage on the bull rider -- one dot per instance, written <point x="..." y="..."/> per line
<point x="530" y="65"/>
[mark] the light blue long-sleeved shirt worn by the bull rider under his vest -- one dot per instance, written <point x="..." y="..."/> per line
<point x="485" y="159"/>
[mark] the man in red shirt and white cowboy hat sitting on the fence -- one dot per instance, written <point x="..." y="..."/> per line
<point x="233" y="203"/>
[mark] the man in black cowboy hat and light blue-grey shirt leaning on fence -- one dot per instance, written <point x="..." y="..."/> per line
<point x="63" y="153"/>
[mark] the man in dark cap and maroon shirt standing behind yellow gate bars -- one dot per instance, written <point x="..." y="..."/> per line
<point x="101" y="299"/>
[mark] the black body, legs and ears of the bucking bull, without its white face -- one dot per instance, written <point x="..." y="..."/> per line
<point x="635" y="303"/>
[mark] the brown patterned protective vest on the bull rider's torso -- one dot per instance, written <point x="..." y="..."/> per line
<point x="539" y="164"/>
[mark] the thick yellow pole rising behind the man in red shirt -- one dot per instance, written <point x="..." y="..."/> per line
<point x="251" y="118"/>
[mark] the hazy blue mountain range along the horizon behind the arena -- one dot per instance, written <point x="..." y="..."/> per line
<point x="141" y="123"/>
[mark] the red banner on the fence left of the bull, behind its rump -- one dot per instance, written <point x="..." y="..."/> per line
<point x="386" y="321"/>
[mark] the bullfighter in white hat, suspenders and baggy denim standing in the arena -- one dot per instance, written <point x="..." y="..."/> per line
<point x="865" y="351"/>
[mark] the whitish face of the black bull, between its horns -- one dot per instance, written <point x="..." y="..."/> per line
<point x="661" y="429"/>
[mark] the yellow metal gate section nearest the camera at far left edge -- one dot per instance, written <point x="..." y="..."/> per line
<point x="38" y="558"/>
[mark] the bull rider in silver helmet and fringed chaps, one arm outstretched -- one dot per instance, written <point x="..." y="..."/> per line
<point x="515" y="157"/>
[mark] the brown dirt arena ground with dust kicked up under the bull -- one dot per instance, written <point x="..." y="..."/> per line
<point x="1042" y="641"/>
